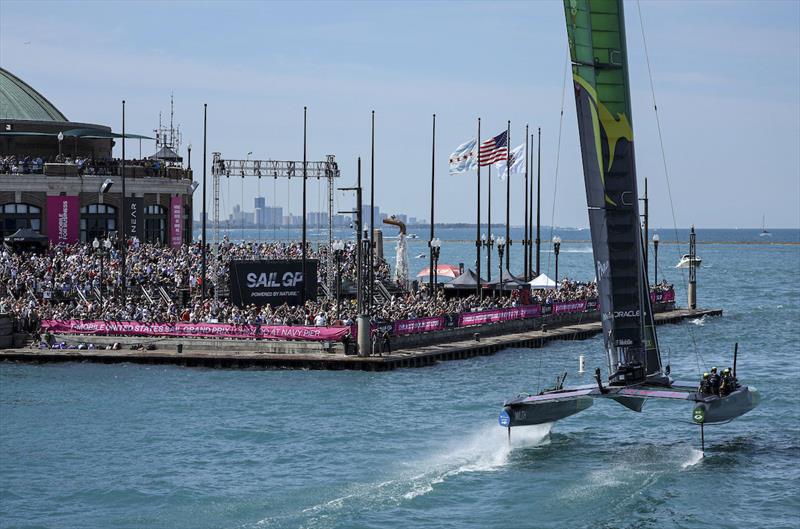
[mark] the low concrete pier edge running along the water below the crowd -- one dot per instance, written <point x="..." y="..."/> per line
<point x="207" y="353"/>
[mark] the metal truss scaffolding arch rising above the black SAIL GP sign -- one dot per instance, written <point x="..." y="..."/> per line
<point x="327" y="169"/>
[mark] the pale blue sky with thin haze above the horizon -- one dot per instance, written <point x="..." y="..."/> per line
<point x="727" y="81"/>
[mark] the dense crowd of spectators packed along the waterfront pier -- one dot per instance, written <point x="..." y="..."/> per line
<point x="164" y="285"/>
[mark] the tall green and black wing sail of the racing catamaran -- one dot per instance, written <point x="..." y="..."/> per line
<point x="596" y="34"/>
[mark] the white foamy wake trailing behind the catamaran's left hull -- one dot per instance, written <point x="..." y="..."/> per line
<point x="487" y="450"/>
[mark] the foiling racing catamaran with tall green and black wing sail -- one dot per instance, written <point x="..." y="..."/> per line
<point x="596" y="33"/>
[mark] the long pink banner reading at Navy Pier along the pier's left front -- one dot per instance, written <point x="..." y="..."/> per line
<point x="199" y="330"/>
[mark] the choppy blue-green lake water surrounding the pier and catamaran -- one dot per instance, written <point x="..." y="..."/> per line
<point x="129" y="446"/>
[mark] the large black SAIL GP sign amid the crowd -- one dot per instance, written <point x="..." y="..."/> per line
<point x="272" y="282"/>
